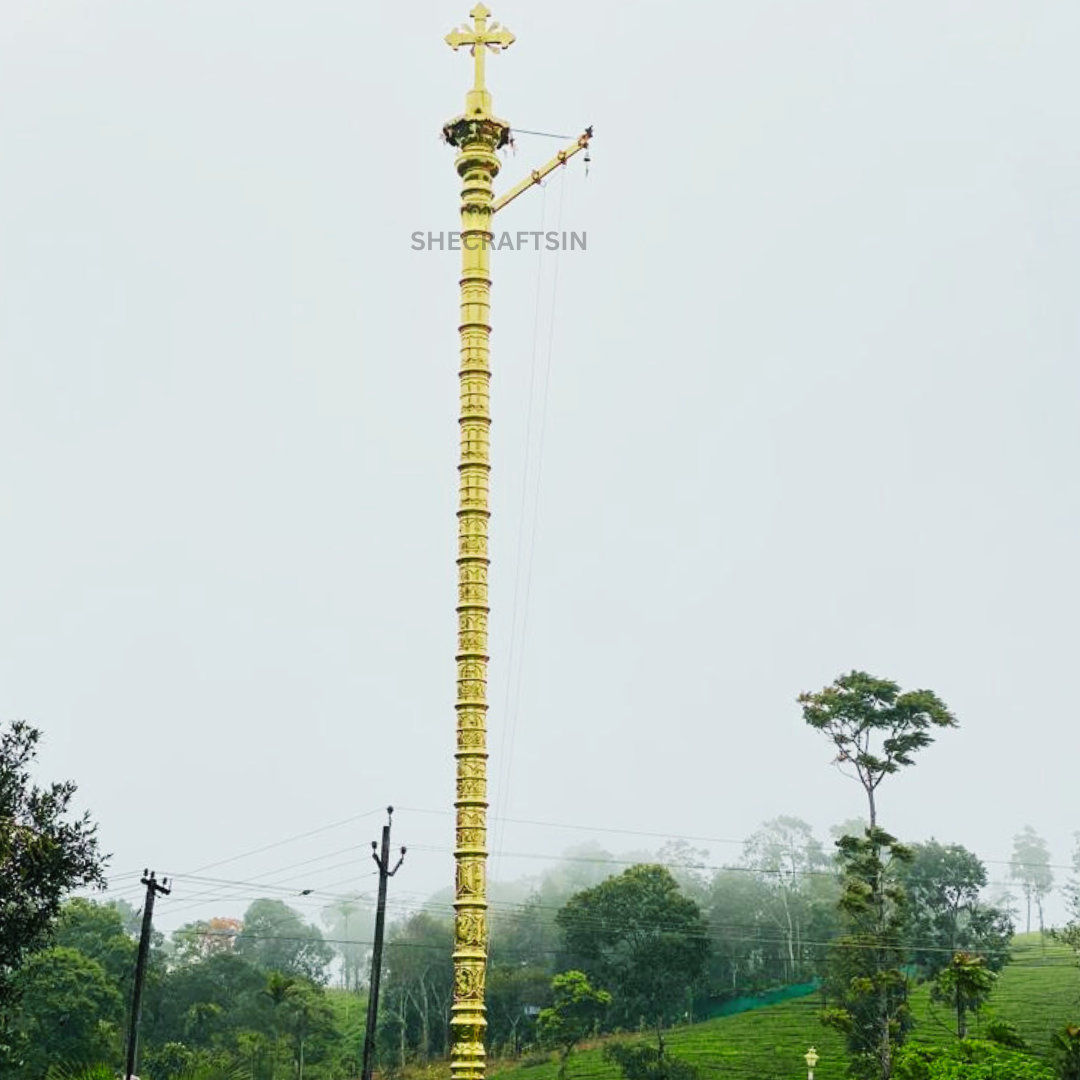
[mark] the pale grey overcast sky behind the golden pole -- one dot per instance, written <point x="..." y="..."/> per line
<point x="807" y="403"/>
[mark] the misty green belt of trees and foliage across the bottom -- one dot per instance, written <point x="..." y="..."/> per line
<point x="576" y="953"/>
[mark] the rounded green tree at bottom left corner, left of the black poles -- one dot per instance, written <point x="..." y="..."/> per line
<point x="70" y="1011"/>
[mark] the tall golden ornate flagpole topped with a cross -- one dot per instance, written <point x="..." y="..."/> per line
<point x="477" y="134"/>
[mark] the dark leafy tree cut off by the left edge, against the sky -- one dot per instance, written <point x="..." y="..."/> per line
<point x="45" y="855"/>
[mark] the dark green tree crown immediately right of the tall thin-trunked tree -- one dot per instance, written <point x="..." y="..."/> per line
<point x="943" y="884"/>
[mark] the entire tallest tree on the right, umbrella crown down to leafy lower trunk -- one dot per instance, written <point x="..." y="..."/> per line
<point x="876" y="730"/>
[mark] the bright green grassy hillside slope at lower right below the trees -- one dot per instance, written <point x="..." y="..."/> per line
<point x="1038" y="992"/>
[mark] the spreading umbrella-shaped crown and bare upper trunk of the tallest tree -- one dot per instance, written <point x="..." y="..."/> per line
<point x="875" y="727"/>
